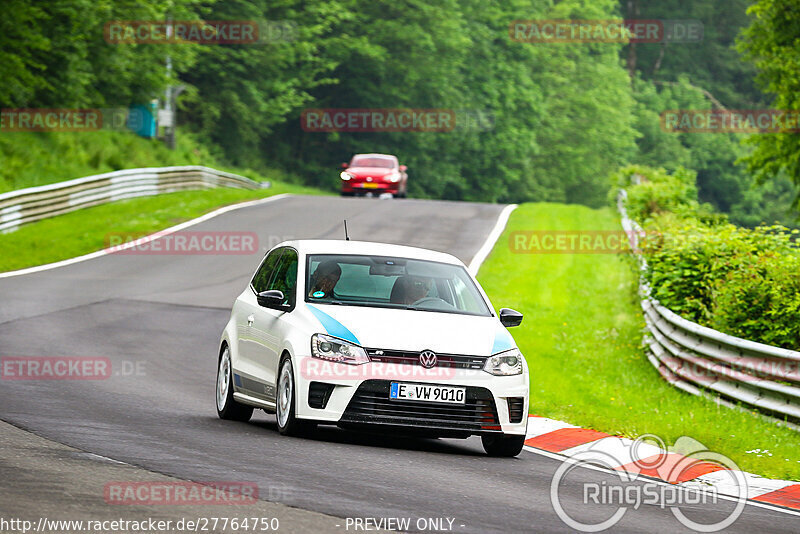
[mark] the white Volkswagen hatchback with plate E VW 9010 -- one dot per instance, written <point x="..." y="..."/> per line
<point x="356" y="333"/>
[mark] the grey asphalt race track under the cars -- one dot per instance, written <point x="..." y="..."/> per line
<point x="158" y="319"/>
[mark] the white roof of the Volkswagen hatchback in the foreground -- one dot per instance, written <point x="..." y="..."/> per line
<point x="340" y="246"/>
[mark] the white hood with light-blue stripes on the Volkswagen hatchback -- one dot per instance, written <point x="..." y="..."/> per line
<point x="412" y="330"/>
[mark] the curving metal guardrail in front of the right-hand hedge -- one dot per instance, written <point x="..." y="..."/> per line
<point x="703" y="361"/>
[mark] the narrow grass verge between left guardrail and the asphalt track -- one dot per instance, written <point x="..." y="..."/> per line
<point x="84" y="231"/>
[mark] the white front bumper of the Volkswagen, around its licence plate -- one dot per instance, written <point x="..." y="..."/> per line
<point x="494" y="404"/>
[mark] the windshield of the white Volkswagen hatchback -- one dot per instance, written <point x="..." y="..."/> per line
<point x="390" y="282"/>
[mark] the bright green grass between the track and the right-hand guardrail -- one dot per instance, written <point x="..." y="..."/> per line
<point x="582" y="337"/>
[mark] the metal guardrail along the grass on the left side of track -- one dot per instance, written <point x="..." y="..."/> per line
<point x="37" y="203"/>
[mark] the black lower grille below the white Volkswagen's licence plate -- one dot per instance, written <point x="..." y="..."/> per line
<point x="371" y="405"/>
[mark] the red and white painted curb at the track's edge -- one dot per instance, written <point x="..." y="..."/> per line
<point x="643" y="458"/>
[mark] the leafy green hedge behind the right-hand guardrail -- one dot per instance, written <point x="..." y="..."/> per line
<point x="736" y="280"/>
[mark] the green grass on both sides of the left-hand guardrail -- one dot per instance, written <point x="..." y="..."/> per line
<point x="31" y="159"/>
